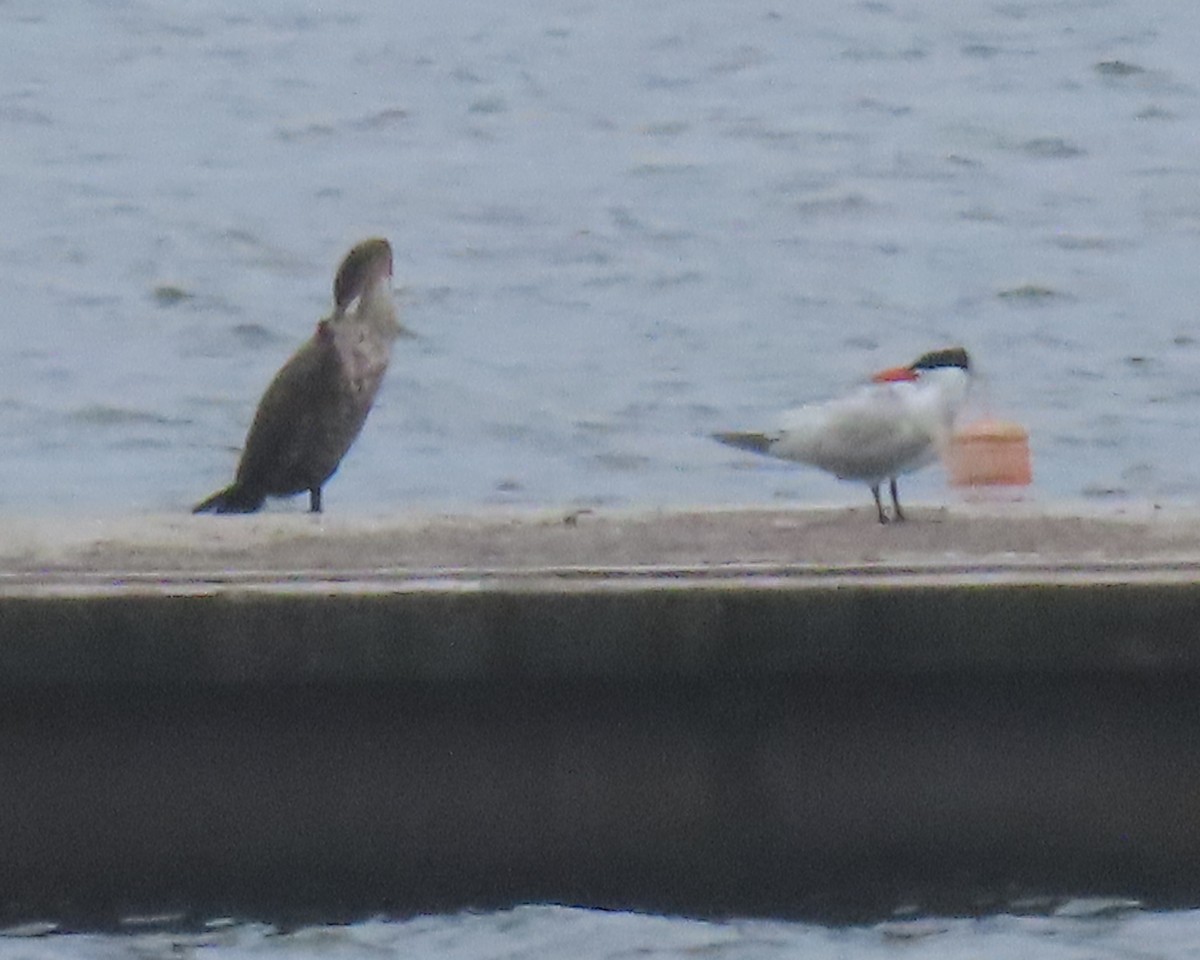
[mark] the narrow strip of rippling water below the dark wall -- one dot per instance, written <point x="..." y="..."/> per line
<point x="1076" y="931"/>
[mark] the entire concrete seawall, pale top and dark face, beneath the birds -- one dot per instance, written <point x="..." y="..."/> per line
<point x="713" y="712"/>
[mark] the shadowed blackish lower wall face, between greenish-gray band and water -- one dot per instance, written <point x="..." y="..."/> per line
<point x="827" y="796"/>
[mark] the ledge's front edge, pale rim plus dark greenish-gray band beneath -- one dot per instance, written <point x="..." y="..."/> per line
<point x="597" y="625"/>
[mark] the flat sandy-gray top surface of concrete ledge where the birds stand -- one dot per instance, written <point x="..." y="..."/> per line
<point x="280" y="544"/>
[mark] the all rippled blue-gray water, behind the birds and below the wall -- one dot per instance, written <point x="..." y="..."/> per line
<point x="620" y="227"/>
